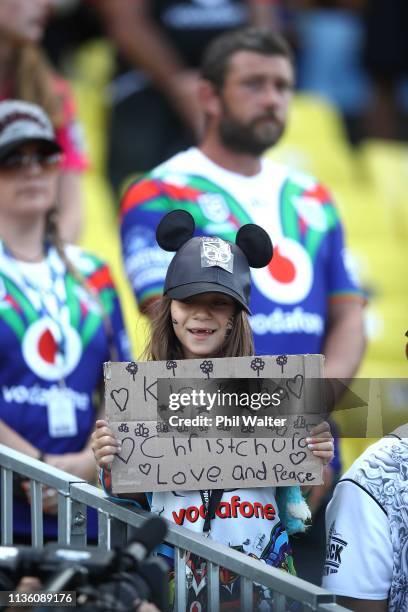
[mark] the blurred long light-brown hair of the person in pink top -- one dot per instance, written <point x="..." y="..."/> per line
<point x="34" y="81"/>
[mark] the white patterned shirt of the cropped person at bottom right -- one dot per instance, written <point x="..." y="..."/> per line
<point x="367" y="527"/>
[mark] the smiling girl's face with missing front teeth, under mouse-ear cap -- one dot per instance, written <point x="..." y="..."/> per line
<point x="201" y="323"/>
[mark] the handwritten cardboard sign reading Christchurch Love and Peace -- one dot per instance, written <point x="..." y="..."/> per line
<point x="152" y="462"/>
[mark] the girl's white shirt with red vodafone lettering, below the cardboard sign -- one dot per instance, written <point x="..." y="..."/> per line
<point x="246" y="520"/>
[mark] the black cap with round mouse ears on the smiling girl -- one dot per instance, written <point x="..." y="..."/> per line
<point x="209" y="264"/>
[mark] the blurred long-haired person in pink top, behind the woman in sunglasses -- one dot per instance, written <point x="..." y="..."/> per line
<point x="25" y="74"/>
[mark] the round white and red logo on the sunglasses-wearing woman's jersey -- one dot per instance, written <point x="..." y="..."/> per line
<point x="40" y="350"/>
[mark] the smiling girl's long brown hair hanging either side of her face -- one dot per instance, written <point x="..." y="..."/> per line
<point x="164" y="344"/>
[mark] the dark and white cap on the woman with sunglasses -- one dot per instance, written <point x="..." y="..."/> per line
<point x="22" y="122"/>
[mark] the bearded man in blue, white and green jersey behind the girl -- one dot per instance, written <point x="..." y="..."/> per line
<point x="305" y="301"/>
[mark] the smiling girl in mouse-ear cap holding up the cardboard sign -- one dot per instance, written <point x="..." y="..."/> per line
<point x="204" y="314"/>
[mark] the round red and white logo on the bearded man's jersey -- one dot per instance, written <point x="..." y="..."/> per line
<point x="289" y="276"/>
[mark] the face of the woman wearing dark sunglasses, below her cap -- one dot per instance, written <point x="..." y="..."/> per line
<point x="28" y="181"/>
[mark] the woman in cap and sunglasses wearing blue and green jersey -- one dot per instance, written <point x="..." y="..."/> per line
<point x="59" y="314"/>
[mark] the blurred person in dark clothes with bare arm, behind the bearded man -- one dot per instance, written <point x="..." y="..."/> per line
<point x="155" y="110"/>
